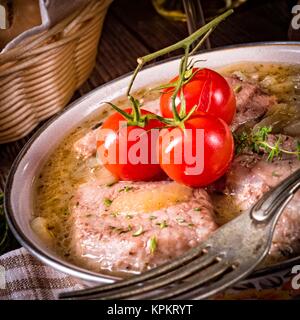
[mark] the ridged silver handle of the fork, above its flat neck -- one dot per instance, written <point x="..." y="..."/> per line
<point x="273" y="203"/>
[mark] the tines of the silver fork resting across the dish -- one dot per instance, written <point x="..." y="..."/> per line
<point x="196" y="268"/>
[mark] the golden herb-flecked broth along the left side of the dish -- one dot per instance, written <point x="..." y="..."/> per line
<point x="62" y="173"/>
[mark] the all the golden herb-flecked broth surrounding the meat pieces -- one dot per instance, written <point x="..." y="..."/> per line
<point x="64" y="170"/>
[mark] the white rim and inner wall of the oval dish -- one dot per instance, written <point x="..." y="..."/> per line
<point x="19" y="192"/>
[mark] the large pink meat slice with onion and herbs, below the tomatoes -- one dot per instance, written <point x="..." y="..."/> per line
<point x="135" y="226"/>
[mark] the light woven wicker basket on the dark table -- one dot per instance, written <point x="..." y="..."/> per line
<point x="40" y="75"/>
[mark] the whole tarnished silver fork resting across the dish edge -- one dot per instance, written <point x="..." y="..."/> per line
<point x="228" y="256"/>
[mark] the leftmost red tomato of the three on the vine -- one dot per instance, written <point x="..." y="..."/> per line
<point x="127" y="151"/>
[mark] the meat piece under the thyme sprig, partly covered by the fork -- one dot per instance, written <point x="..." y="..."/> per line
<point x="250" y="176"/>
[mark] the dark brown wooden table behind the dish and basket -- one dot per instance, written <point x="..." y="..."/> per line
<point x="133" y="28"/>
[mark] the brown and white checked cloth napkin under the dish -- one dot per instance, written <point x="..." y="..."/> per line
<point x="22" y="277"/>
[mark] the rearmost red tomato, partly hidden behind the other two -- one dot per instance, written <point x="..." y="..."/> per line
<point x="208" y="90"/>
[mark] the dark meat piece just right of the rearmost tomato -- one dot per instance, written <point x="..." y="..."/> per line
<point x="252" y="102"/>
